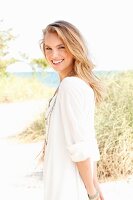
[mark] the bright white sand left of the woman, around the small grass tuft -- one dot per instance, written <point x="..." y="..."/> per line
<point x="19" y="177"/>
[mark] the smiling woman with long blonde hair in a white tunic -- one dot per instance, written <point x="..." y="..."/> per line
<point x="70" y="151"/>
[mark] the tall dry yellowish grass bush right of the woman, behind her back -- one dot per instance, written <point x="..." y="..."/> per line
<point x="114" y="126"/>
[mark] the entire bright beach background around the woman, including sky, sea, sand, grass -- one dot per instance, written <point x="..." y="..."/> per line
<point x="27" y="83"/>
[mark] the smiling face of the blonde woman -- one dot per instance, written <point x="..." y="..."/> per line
<point x="57" y="55"/>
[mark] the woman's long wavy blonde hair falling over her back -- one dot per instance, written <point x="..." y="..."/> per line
<point x="75" y="44"/>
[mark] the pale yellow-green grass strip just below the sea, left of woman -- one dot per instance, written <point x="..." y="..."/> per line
<point x="13" y="88"/>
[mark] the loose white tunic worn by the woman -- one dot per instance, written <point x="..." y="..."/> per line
<point x="71" y="138"/>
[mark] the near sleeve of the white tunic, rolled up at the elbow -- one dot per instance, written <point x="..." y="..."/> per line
<point x="77" y="115"/>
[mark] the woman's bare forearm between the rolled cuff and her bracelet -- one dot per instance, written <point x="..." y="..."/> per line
<point x="85" y="170"/>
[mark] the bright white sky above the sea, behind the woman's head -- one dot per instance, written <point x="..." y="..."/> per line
<point x="107" y="26"/>
